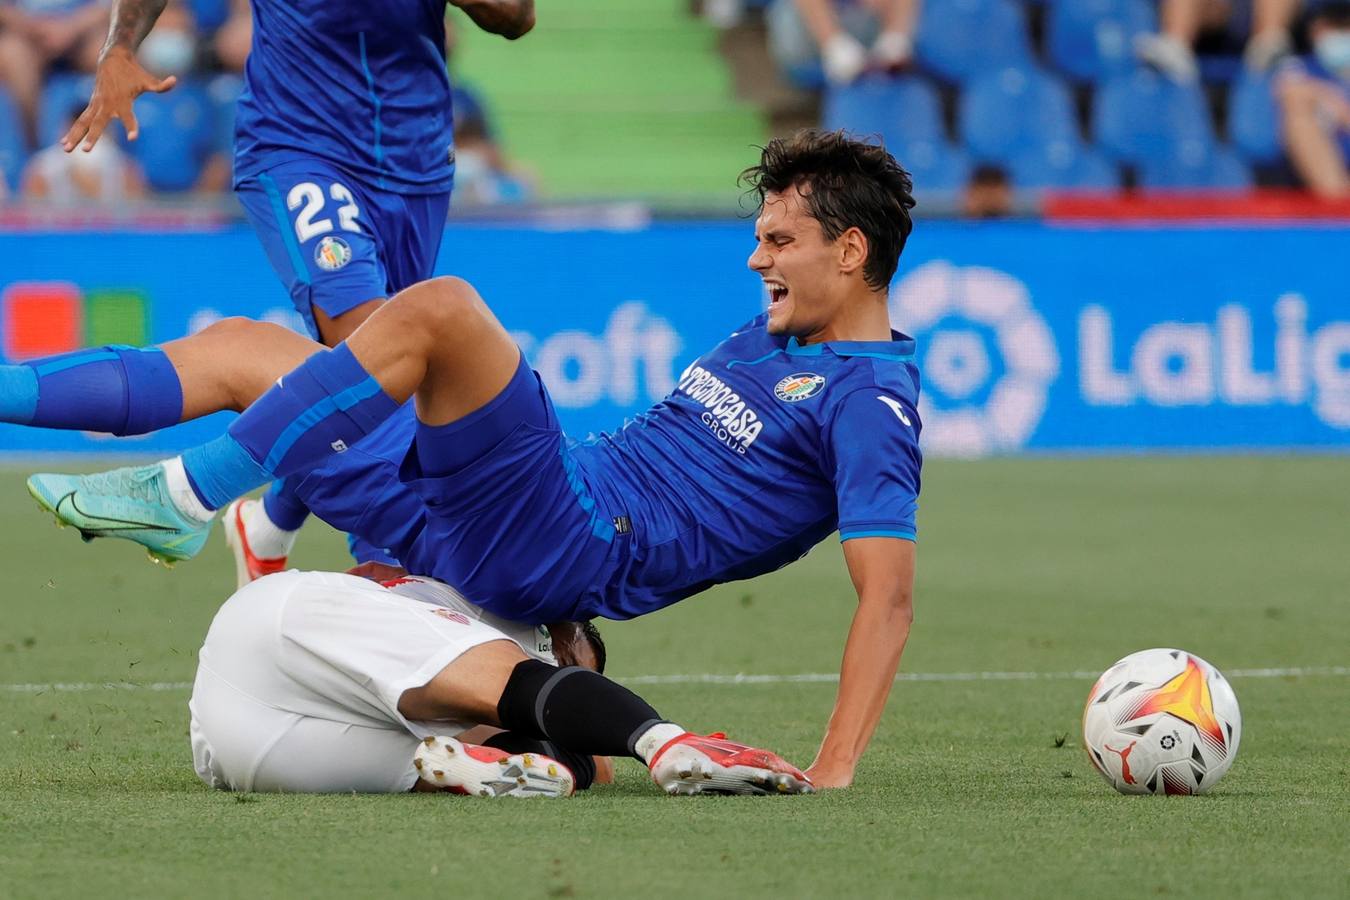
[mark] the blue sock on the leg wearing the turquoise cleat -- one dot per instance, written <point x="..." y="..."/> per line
<point x="323" y="407"/>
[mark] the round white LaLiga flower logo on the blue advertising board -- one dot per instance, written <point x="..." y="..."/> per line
<point x="986" y="357"/>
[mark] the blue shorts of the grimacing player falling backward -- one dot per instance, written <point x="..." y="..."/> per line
<point x="510" y="519"/>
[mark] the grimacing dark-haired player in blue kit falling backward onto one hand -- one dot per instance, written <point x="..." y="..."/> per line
<point x="803" y="423"/>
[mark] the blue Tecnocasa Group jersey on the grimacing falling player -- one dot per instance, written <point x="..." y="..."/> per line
<point x="763" y="450"/>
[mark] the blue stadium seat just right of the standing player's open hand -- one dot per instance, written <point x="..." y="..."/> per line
<point x="178" y="137"/>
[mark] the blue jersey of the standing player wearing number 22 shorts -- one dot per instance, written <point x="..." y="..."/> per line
<point x="361" y="86"/>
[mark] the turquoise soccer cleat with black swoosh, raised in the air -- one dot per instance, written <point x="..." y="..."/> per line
<point x="132" y="504"/>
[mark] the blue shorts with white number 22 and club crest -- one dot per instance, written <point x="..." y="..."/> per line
<point x="338" y="242"/>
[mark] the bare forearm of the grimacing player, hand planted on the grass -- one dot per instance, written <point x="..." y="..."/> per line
<point x="884" y="574"/>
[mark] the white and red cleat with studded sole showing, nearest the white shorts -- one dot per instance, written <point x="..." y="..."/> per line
<point x="488" y="772"/>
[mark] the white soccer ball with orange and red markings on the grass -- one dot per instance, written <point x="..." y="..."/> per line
<point x="1162" y="723"/>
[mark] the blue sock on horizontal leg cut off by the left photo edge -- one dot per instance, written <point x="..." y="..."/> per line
<point x="121" y="391"/>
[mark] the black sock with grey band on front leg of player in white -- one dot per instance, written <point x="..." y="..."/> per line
<point x="574" y="708"/>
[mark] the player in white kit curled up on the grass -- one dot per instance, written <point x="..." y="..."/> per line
<point x="325" y="683"/>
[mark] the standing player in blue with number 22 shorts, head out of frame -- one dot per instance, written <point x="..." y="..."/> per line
<point x="344" y="164"/>
